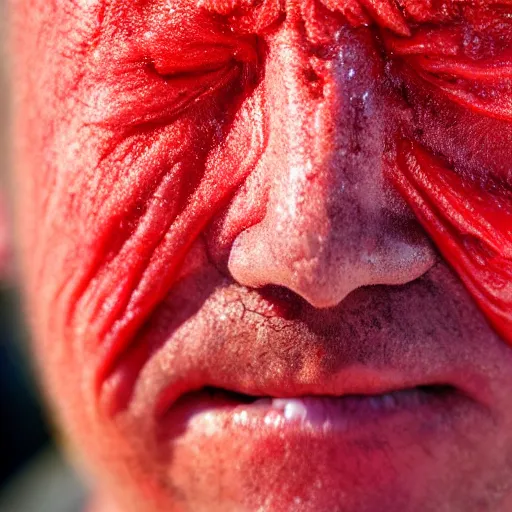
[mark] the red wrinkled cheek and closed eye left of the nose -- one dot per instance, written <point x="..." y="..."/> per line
<point x="121" y="173"/>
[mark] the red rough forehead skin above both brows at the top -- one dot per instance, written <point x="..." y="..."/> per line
<point x="85" y="20"/>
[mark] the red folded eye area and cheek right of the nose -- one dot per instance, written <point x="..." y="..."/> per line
<point x="460" y="99"/>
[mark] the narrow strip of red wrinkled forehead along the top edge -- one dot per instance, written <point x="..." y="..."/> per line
<point x="86" y="16"/>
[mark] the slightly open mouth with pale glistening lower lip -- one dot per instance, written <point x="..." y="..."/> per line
<point x="314" y="412"/>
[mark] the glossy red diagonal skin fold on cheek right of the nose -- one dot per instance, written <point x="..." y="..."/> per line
<point x="470" y="224"/>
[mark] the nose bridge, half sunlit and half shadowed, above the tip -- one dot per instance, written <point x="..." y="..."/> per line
<point x="324" y="154"/>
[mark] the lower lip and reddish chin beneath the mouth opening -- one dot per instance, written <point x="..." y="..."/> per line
<point x="319" y="449"/>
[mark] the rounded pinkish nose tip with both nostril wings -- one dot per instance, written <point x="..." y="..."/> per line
<point x="323" y="270"/>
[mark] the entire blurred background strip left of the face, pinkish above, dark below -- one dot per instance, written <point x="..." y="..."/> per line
<point x="33" y="475"/>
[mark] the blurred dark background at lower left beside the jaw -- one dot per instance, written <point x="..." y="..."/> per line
<point x="34" y="476"/>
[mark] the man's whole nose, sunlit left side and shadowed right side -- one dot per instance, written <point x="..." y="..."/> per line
<point x="331" y="223"/>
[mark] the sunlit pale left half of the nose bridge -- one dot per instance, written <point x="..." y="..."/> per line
<point x="295" y="119"/>
